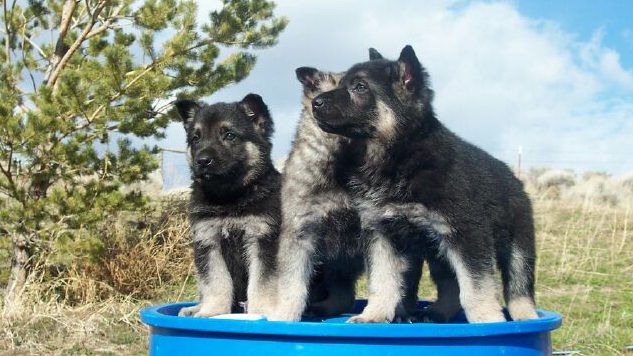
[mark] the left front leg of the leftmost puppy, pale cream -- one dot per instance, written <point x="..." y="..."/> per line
<point x="214" y="280"/>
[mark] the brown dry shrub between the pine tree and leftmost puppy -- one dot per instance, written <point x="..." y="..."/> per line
<point x="138" y="259"/>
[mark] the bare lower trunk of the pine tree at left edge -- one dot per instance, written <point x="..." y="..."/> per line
<point x="19" y="271"/>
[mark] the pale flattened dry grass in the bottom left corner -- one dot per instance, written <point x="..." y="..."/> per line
<point x="51" y="328"/>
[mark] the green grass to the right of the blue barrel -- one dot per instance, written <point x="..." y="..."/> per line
<point x="585" y="272"/>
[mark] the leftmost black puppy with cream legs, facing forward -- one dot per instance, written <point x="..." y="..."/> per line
<point x="234" y="207"/>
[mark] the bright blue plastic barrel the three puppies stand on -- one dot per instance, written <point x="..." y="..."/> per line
<point x="174" y="335"/>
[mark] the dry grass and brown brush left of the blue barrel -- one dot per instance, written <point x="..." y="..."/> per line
<point x="92" y="306"/>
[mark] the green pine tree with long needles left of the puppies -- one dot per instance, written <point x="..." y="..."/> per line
<point x="78" y="79"/>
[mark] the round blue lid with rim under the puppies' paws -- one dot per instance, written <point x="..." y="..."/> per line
<point x="165" y="316"/>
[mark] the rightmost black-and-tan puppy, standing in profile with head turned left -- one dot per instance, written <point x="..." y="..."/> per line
<point x="419" y="184"/>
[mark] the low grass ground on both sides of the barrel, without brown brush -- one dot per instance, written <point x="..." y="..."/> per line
<point x="584" y="272"/>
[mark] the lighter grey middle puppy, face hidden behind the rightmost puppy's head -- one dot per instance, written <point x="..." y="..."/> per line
<point x="320" y="228"/>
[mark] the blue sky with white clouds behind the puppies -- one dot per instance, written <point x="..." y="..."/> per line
<point x="553" y="77"/>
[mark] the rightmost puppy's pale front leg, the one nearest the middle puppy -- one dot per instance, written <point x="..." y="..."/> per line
<point x="385" y="270"/>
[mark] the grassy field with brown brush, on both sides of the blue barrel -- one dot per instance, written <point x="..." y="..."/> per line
<point x="585" y="272"/>
